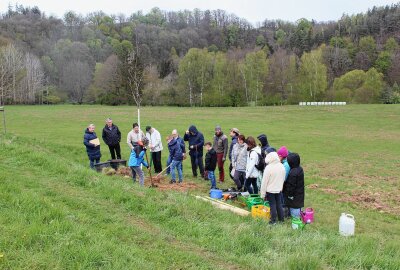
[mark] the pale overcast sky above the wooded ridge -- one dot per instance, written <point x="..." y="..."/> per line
<point x="253" y="11"/>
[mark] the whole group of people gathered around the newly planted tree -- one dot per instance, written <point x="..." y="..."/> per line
<point x="256" y="168"/>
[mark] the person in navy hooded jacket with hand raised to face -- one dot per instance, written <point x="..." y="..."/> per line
<point x="196" y="143"/>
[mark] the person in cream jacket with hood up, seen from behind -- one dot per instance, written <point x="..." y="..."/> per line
<point x="272" y="185"/>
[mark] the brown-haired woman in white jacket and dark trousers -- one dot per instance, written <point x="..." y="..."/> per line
<point x="251" y="171"/>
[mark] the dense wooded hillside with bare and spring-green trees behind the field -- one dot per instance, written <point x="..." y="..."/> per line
<point x="197" y="58"/>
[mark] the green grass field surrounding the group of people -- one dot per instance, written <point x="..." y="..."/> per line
<point x="56" y="213"/>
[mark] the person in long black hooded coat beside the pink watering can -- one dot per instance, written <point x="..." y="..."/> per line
<point x="293" y="188"/>
